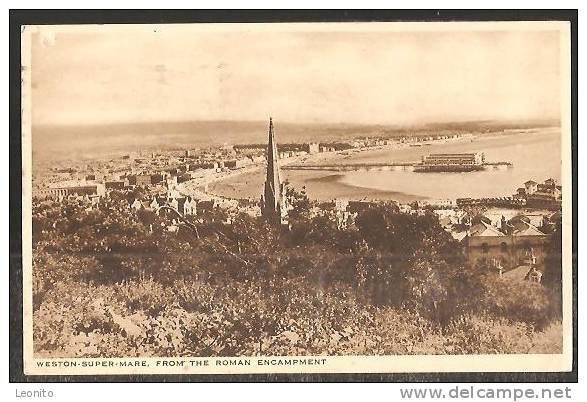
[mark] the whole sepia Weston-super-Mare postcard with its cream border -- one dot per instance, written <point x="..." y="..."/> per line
<point x="297" y="198"/>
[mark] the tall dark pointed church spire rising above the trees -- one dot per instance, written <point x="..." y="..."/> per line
<point x="271" y="201"/>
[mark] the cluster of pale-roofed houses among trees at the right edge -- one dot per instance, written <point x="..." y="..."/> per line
<point x="513" y="236"/>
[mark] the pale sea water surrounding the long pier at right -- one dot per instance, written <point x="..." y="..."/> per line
<point x="534" y="156"/>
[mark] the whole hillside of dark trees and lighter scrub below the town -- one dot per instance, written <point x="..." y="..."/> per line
<point x="108" y="281"/>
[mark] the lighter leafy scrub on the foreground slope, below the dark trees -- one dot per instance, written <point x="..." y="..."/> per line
<point x="245" y="319"/>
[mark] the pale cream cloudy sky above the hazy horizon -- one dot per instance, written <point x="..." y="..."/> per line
<point x="112" y="76"/>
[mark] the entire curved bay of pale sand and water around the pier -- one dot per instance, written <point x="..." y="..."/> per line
<point x="535" y="156"/>
